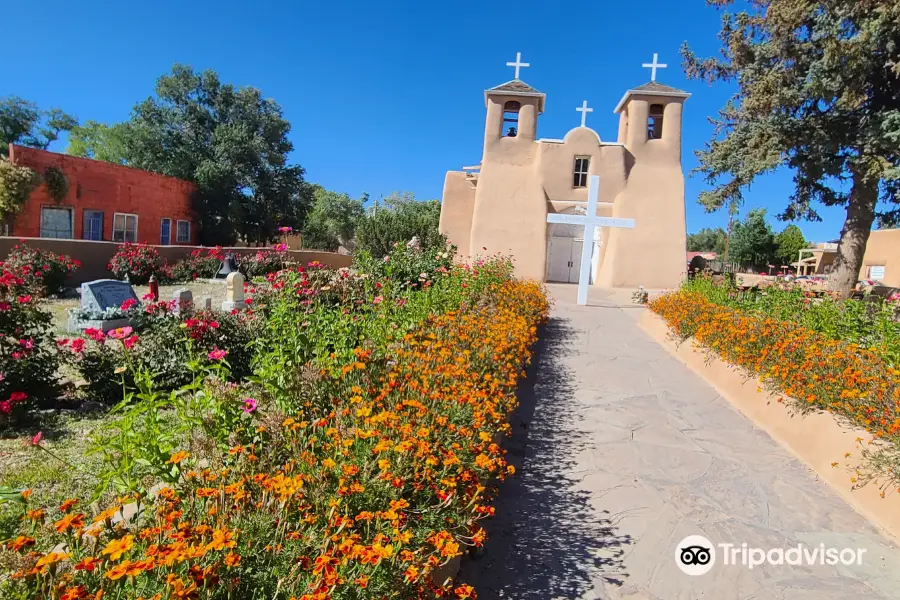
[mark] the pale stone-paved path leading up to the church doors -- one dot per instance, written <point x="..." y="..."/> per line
<point x="622" y="452"/>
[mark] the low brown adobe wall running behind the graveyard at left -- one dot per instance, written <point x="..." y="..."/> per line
<point x="94" y="256"/>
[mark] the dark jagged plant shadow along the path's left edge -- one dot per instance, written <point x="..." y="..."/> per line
<point x="546" y="540"/>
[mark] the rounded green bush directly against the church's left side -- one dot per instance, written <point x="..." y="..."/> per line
<point x="401" y="219"/>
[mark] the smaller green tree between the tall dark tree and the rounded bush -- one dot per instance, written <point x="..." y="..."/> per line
<point x="332" y="220"/>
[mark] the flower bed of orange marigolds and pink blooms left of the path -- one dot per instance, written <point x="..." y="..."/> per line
<point x="355" y="462"/>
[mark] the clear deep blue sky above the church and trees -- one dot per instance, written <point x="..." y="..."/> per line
<point x="382" y="96"/>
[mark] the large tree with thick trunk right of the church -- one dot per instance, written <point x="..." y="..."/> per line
<point x="817" y="90"/>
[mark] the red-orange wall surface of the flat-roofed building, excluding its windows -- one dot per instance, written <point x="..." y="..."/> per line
<point x="100" y="186"/>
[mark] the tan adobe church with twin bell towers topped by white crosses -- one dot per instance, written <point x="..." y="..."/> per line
<point x="501" y="205"/>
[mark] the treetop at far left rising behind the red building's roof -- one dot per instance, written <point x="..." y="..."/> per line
<point x="22" y="122"/>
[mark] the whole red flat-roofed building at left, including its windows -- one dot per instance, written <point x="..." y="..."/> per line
<point x="105" y="202"/>
